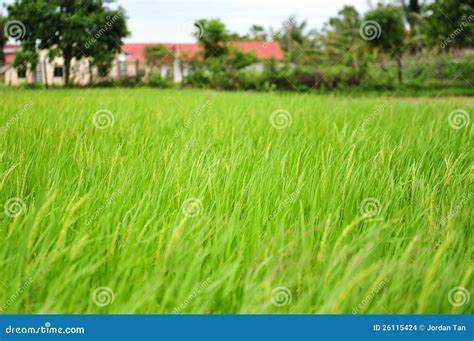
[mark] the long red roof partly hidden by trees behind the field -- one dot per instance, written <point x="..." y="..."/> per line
<point x="263" y="50"/>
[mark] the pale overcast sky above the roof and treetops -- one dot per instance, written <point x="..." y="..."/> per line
<point x="171" y="20"/>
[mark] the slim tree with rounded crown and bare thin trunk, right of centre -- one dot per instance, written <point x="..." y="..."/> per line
<point x="388" y="22"/>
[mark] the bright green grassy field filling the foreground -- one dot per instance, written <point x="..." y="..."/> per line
<point x="277" y="212"/>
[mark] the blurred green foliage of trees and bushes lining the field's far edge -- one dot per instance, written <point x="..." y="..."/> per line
<point x="335" y="58"/>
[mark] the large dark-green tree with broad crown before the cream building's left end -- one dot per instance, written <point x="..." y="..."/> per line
<point x="71" y="29"/>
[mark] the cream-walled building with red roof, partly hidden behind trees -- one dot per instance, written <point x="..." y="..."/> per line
<point x="131" y="63"/>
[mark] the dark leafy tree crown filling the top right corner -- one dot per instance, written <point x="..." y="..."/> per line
<point x="449" y="23"/>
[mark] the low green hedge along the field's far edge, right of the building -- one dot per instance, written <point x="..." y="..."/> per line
<point x="420" y="71"/>
